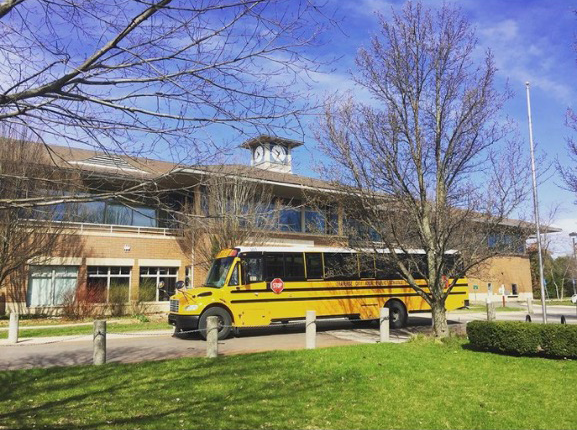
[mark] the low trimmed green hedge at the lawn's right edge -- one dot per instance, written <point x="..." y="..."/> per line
<point x="513" y="337"/>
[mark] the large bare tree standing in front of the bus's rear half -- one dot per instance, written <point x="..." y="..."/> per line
<point x="427" y="164"/>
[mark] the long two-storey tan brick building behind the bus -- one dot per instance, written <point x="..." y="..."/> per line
<point x="137" y="251"/>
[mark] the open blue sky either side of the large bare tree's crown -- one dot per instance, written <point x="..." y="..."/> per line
<point x="531" y="41"/>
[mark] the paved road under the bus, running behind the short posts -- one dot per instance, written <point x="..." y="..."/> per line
<point x="158" y="345"/>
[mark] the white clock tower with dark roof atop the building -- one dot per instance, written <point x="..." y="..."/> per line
<point x="271" y="152"/>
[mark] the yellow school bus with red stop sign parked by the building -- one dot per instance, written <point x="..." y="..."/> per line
<point x="258" y="286"/>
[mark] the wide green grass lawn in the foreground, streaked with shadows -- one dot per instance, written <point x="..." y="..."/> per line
<point x="415" y="385"/>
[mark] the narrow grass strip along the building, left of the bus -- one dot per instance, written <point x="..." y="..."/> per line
<point x="87" y="329"/>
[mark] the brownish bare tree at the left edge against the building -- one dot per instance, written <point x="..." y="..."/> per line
<point x="29" y="236"/>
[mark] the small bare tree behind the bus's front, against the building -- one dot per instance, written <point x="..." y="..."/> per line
<point x="229" y="211"/>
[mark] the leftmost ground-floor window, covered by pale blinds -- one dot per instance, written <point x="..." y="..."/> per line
<point x="51" y="285"/>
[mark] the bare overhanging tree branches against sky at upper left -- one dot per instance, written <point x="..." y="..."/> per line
<point x="159" y="77"/>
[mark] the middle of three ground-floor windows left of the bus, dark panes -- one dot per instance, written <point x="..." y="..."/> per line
<point x="108" y="284"/>
